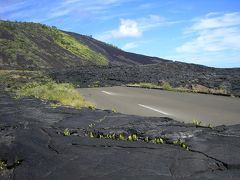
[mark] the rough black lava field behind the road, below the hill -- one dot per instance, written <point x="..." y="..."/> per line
<point x="177" y="74"/>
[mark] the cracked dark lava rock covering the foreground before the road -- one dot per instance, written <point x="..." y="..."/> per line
<point x="33" y="145"/>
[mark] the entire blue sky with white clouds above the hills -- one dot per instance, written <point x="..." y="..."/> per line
<point x="204" y="32"/>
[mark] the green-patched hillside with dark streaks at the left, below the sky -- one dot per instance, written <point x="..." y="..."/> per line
<point x="33" y="45"/>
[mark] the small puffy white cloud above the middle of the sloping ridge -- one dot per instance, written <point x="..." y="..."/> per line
<point x="128" y="28"/>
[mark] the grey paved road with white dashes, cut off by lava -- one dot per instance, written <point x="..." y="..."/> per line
<point x="216" y="110"/>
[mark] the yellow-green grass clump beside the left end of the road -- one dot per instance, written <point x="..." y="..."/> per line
<point x="64" y="93"/>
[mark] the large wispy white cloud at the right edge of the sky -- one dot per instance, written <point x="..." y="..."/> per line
<point x="213" y="33"/>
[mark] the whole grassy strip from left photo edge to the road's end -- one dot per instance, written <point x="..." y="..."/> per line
<point x="36" y="84"/>
